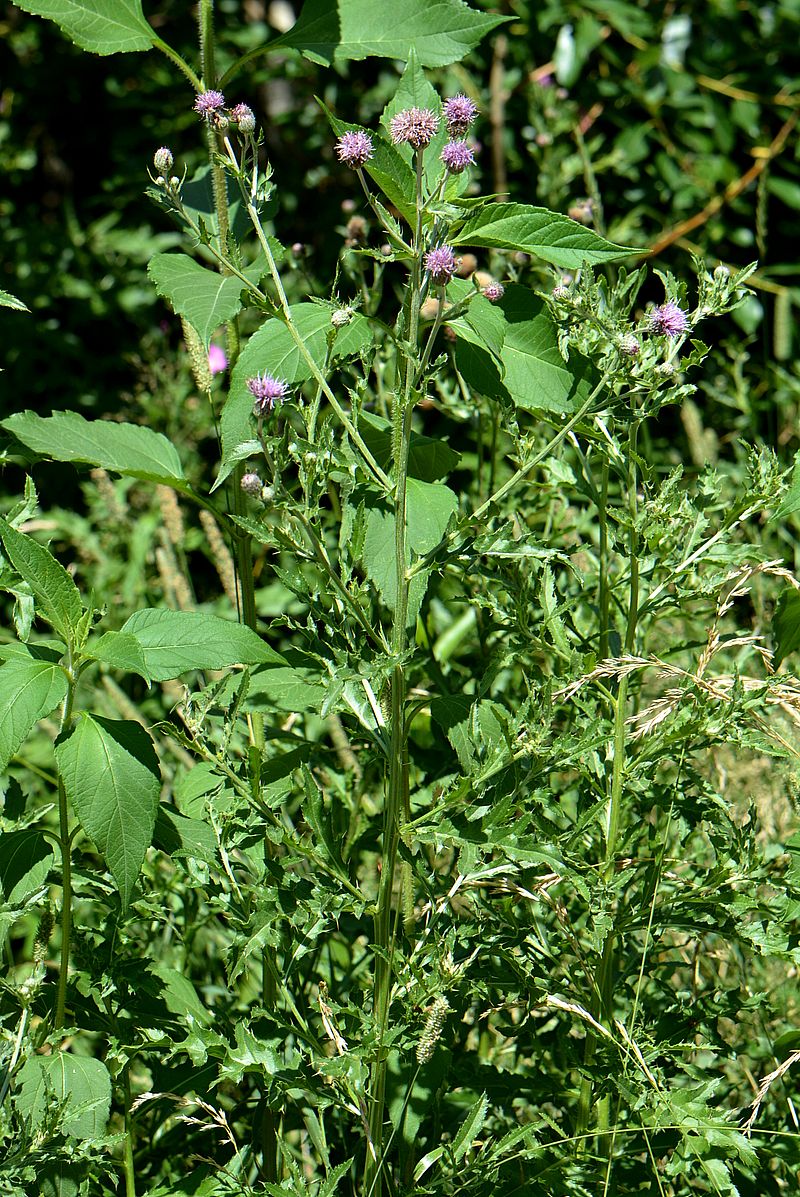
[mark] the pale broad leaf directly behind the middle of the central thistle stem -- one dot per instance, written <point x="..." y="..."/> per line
<point x="429" y="509"/>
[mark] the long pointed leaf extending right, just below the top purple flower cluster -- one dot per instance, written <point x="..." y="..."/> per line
<point x="553" y="238"/>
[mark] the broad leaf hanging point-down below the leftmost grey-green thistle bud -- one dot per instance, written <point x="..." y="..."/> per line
<point x="203" y="296"/>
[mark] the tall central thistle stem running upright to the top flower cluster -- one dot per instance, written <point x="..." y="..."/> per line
<point x="397" y="801"/>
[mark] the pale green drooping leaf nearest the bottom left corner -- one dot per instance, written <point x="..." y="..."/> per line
<point x="81" y="1084"/>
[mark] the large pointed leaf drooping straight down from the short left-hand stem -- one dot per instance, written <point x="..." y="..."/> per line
<point x="111" y="773"/>
